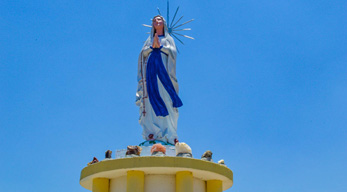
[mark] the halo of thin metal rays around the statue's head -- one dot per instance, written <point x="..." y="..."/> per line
<point x="175" y="27"/>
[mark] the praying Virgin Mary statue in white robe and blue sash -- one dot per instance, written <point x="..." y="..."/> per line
<point x="157" y="92"/>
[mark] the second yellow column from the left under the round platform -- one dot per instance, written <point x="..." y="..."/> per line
<point x="135" y="181"/>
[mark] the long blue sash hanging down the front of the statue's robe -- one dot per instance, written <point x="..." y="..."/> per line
<point x="155" y="67"/>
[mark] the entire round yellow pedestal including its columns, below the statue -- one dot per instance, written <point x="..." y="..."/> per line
<point x="156" y="174"/>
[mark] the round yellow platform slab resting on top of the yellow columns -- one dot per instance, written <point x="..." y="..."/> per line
<point x="115" y="168"/>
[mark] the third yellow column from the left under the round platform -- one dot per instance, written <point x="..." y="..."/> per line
<point x="184" y="181"/>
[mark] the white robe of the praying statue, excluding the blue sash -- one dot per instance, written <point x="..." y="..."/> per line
<point x="162" y="128"/>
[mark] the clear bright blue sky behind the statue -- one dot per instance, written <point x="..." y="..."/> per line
<point x="264" y="86"/>
